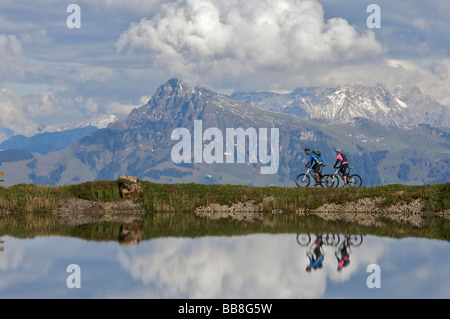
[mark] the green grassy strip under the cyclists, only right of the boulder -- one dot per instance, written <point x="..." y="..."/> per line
<point x="186" y="197"/>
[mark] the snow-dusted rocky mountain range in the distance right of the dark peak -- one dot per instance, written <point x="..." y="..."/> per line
<point x="400" y="108"/>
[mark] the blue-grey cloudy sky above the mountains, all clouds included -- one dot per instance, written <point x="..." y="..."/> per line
<point x="123" y="50"/>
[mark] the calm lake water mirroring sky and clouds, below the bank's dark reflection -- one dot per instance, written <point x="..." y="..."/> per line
<point x="252" y="266"/>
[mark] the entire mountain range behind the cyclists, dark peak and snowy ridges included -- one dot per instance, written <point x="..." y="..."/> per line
<point x="385" y="141"/>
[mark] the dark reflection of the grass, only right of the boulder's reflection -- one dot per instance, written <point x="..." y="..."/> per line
<point x="187" y="225"/>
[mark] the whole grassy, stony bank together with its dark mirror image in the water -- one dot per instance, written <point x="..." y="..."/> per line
<point x="99" y="208"/>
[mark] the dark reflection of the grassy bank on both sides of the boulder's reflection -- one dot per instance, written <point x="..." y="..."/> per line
<point x="161" y="225"/>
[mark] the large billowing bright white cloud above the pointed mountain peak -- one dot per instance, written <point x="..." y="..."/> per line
<point x="236" y="38"/>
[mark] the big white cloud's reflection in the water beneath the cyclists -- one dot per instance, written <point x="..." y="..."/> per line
<point x="257" y="266"/>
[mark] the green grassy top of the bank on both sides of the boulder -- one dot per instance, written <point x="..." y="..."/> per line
<point x="186" y="197"/>
